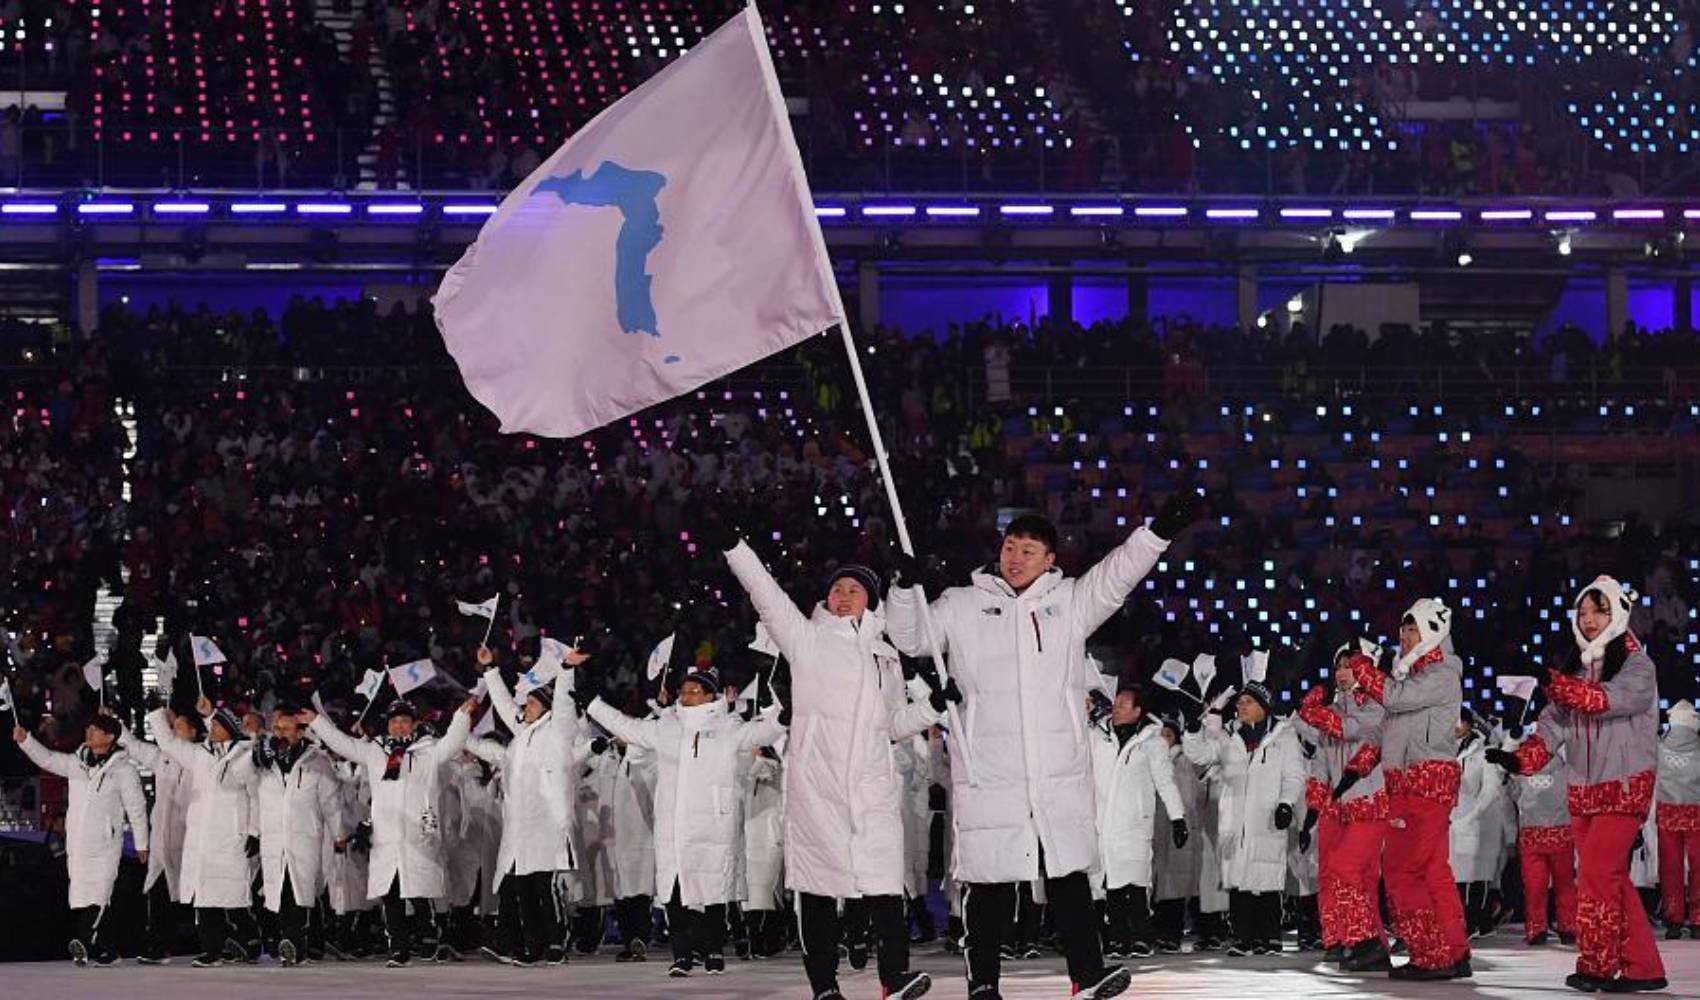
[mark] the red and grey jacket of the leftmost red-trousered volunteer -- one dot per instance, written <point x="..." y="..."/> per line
<point x="1347" y="739"/>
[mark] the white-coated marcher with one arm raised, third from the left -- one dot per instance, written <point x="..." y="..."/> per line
<point x="217" y="839"/>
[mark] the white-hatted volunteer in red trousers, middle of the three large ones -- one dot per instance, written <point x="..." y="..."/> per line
<point x="1419" y="753"/>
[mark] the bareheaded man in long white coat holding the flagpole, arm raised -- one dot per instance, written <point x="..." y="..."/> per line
<point x="1021" y="773"/>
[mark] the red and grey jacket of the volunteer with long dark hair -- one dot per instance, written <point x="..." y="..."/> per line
<point x="1609" y="732"/>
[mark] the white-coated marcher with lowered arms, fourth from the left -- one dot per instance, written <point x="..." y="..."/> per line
<point x="298" y="798"/>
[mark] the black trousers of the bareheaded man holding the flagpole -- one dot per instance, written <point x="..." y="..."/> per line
<point x="990" y="907"/>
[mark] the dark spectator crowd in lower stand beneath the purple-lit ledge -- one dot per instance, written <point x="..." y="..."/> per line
<point x="322" y="513"/>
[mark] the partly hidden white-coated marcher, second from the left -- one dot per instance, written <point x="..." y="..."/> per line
<point x="167" y="826"/>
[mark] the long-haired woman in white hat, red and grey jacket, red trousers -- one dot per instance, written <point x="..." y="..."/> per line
<point x="1604" y="713"/>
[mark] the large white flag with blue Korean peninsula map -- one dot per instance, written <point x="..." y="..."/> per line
<point x="669" y="242"/>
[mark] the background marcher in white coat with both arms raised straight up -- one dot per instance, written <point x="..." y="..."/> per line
<point x="538" y="809"/>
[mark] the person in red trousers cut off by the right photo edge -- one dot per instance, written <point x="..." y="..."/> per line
<point x="1679" y="819"/>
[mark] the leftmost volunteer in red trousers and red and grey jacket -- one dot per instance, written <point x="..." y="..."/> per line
<point x="1352" y="802"/>
